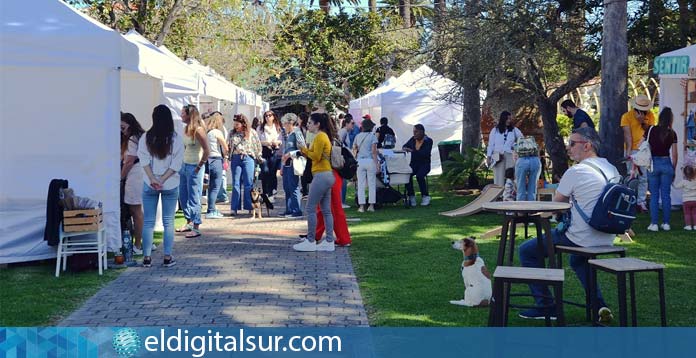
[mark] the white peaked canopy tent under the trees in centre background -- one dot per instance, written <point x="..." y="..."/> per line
<point x="413" y="98"/>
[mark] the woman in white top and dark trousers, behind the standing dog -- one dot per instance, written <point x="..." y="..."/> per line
<point x="271" y="137"/>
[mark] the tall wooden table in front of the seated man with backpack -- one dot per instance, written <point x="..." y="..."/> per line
<point x="525" y="211"/>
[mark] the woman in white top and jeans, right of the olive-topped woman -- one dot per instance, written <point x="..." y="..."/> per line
<point x="218" y="151"/>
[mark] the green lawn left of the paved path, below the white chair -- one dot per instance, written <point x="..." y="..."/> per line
<point x="32" y="296"/>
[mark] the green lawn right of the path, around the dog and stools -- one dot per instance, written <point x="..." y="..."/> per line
<point x="408" y="273"/>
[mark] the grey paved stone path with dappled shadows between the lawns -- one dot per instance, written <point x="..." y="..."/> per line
<point x="239" y="272"/>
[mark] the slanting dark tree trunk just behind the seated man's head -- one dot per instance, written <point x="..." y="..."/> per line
<point x="553" y="142"/>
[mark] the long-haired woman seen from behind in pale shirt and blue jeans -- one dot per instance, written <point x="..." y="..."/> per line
<point x="161" y="155"/>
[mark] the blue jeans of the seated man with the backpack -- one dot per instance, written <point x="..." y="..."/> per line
<point x="529" y="257"/>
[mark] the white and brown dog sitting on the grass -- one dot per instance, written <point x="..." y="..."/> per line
<point x="477" y="279"/>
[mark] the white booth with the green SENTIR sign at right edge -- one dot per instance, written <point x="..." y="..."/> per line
<point x="672" y="94"/>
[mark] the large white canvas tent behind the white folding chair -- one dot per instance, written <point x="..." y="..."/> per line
<point x="60" y="72"/>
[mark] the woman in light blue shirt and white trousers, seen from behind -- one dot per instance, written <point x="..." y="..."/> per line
<point x="365" y="149"/>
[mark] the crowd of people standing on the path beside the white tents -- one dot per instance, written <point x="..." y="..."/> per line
<point x="161" y="164"/>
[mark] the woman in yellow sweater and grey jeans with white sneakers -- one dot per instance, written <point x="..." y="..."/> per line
<point x="320" y="189"/>
